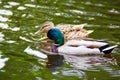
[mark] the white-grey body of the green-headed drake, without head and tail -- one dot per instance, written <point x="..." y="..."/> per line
<point x="81" y="47"/>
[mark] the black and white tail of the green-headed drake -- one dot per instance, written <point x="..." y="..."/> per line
<point x="107" y="49"/>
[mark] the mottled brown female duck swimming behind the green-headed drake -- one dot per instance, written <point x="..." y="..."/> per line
<point x="70" y="31"/>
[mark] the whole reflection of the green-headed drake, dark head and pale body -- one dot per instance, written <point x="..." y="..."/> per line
<point x="79" y="62"/>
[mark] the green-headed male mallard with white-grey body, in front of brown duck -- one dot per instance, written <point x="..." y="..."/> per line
<point x="77" y="47"/>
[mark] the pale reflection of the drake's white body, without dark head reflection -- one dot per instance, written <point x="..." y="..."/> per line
<point x="87" y="62"/>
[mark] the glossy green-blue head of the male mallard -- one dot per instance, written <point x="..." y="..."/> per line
<point x="56" y="35"/>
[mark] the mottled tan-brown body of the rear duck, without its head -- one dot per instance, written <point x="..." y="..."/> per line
<point x="74" y="31"/>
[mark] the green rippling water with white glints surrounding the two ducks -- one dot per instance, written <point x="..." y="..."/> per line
<point x="19" y="19"/>
